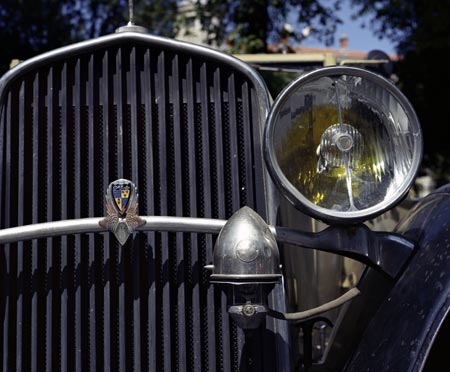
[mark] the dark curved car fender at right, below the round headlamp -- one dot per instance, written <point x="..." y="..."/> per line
<point x="400" y="335"/>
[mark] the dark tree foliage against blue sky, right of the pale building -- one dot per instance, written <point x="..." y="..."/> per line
<point x="248" y="25"/>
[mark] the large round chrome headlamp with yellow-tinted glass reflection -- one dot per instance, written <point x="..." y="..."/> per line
<point x="343" y="144"/>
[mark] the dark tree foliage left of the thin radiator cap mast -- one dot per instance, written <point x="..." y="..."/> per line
<point x="31" y="27"/>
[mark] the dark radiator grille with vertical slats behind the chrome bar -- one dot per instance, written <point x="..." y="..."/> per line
<point x="187" y="132"/>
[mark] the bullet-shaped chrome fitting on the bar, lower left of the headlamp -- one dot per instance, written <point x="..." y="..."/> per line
<point x="246" y="265"/>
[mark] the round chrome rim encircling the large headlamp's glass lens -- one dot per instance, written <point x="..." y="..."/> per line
<point x="294" y="196"/>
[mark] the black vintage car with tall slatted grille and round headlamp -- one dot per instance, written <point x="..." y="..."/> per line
<point x="160" y="211"/>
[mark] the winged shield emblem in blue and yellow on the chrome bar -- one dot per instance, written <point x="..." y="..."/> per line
<point x="121" y="209"/>
